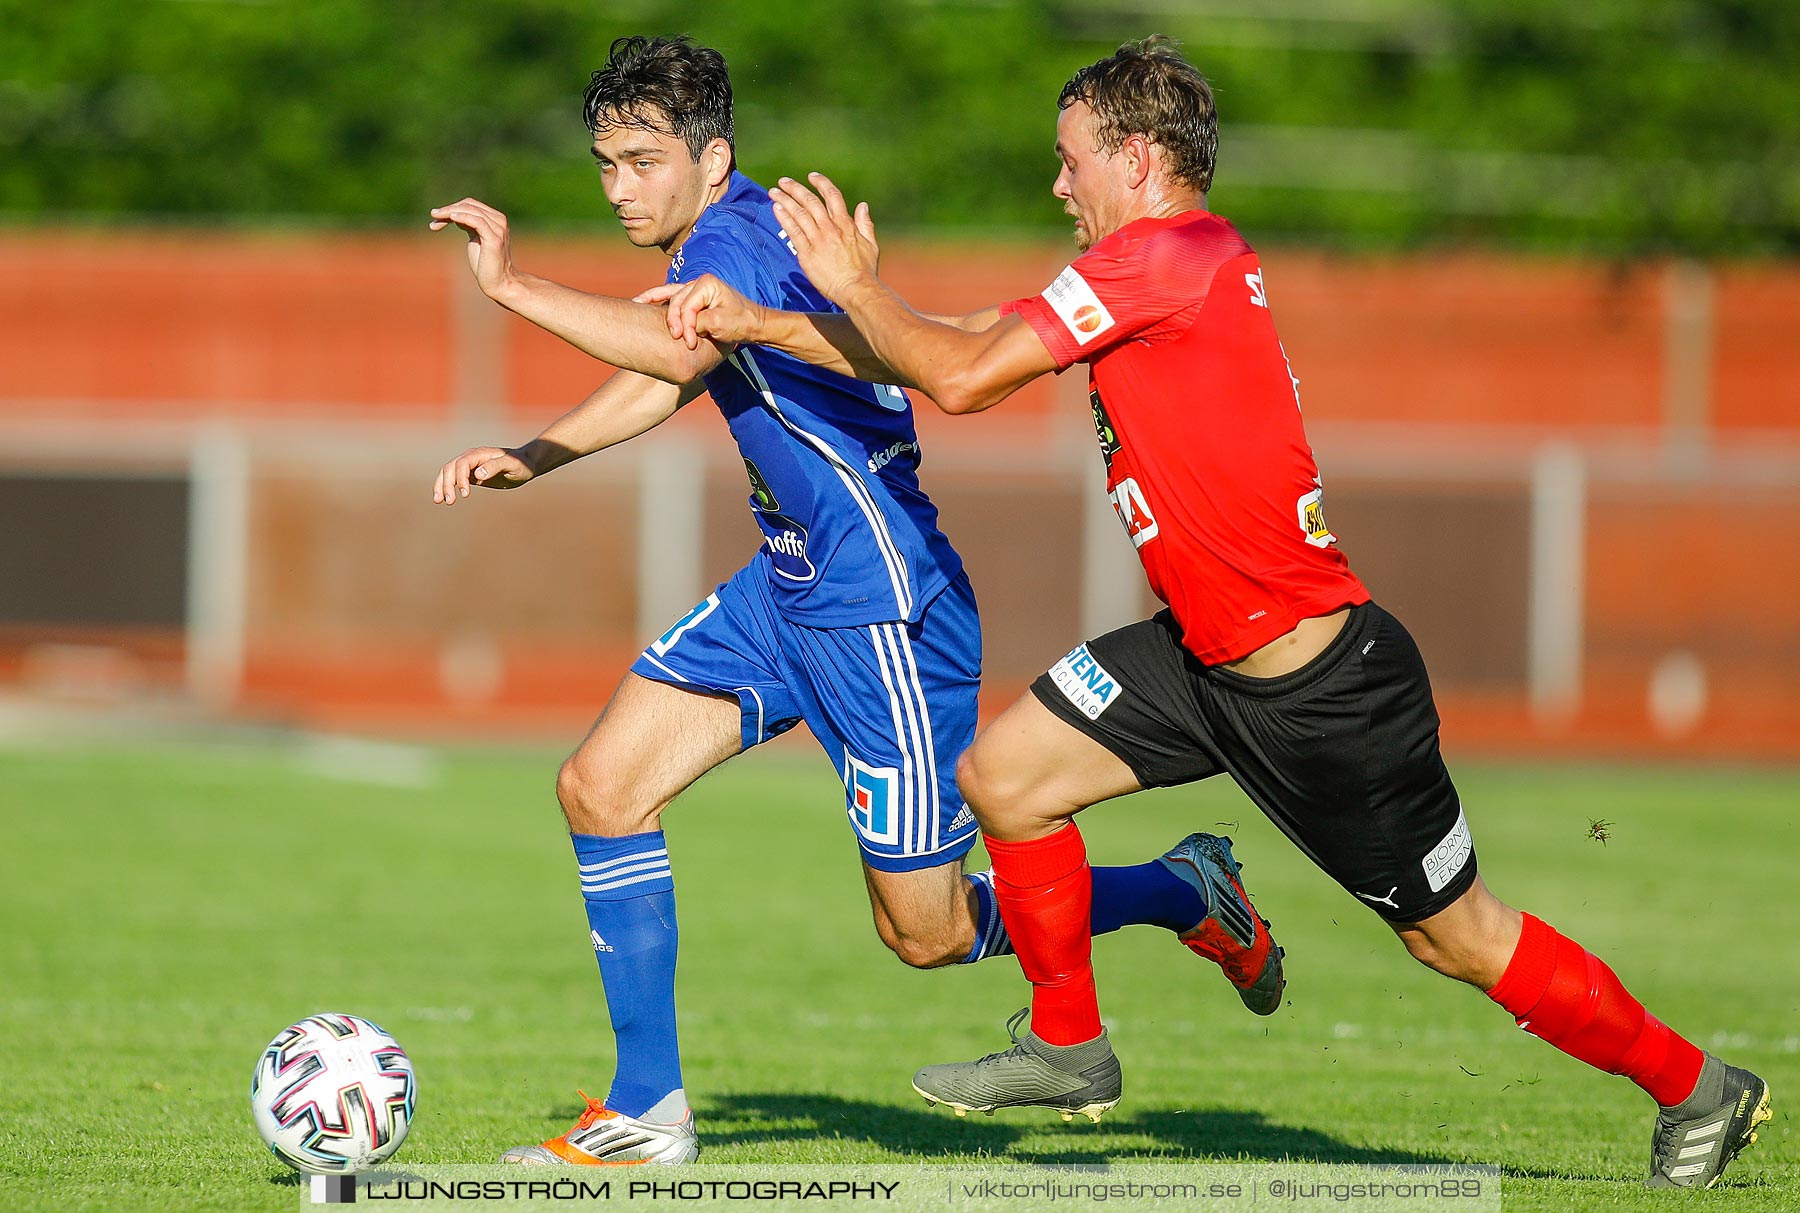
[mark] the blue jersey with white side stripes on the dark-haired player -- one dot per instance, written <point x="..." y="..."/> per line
<point x="849" y="537"/>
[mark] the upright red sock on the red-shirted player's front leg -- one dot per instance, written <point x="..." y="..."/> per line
<point x="1045" y="892"/>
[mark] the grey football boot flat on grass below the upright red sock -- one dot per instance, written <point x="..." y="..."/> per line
<point x="1032" y="1074"/>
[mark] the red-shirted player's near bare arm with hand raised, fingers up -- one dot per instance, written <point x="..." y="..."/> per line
<point x="964" y="370"/>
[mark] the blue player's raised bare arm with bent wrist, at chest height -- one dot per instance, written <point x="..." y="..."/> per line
<point x="622" y="332"/>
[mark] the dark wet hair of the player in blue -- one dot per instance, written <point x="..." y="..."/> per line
<point x="665" y="85"/>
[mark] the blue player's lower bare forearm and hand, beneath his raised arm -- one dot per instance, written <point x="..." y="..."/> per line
<point x="620" y="409"/>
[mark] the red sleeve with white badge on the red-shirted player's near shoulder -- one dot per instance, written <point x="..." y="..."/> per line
<point x="1120" y="289"/>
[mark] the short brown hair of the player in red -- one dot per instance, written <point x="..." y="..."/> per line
<point x="1147" y="89"/>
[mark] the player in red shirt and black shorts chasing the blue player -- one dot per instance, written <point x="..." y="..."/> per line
<point x="1272" y="663"/>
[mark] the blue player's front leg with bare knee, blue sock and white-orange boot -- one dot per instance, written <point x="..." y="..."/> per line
<point x="647" y="748"/>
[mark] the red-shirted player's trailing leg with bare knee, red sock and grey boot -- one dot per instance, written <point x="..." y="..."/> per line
<point x="1707" y="1111"/>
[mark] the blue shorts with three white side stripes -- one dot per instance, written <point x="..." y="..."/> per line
<point x="894" y="705"/>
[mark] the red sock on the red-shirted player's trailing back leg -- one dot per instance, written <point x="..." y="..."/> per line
<point x="1567" y="996"/>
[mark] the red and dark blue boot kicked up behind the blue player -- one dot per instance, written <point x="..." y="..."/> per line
<point x="1232" y="935"/>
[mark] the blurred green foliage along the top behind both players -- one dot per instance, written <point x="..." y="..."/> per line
<point x="1621" y="127"/>
